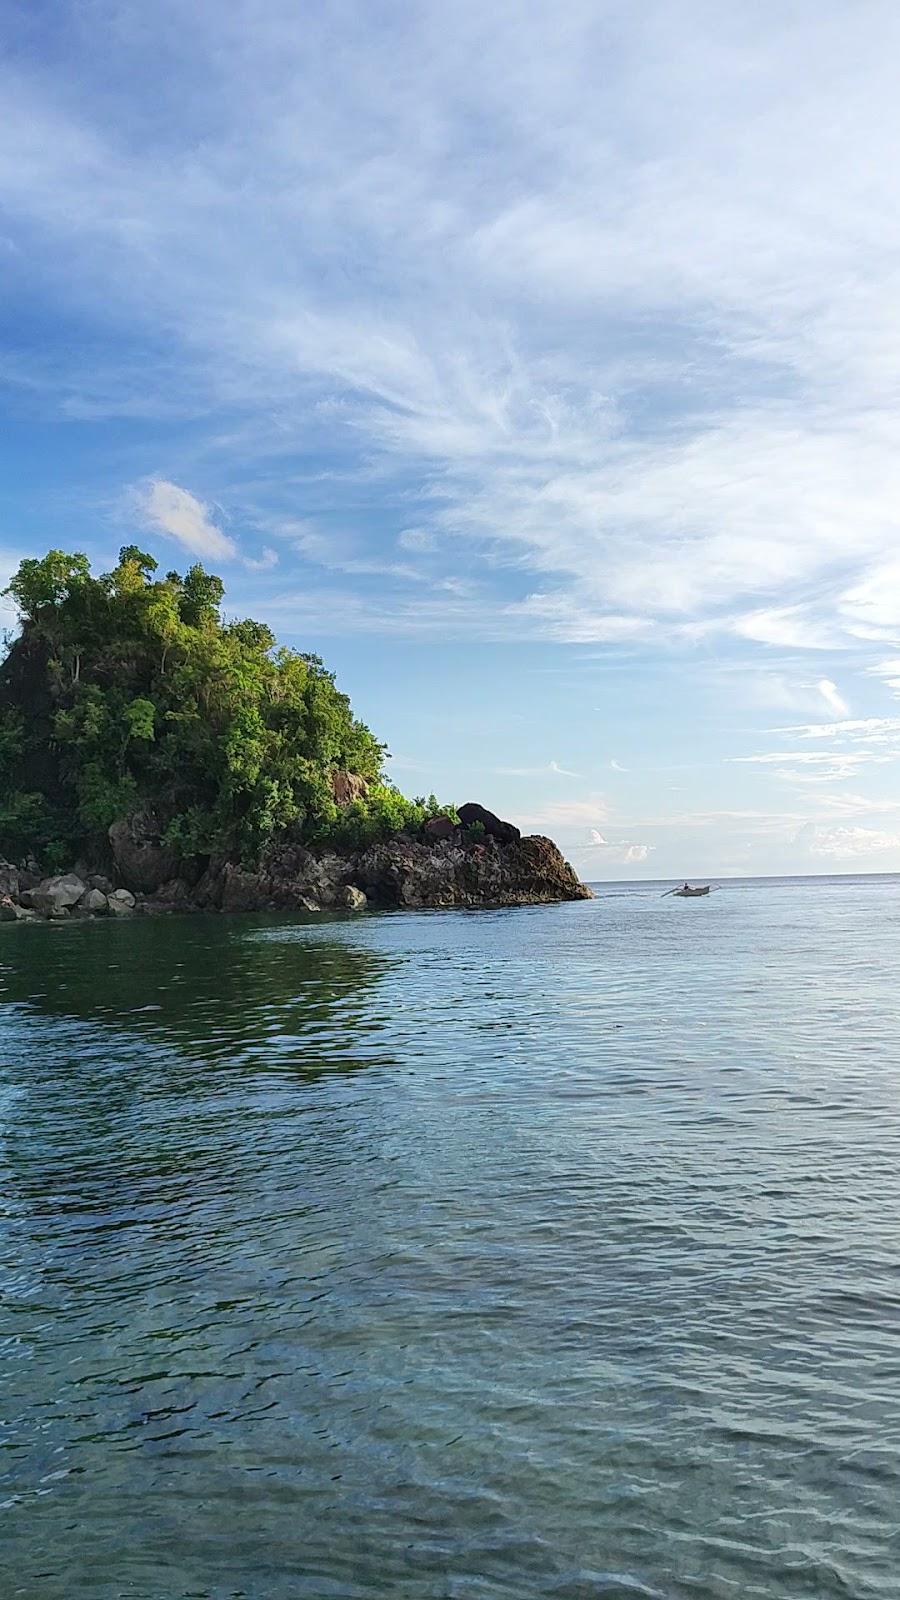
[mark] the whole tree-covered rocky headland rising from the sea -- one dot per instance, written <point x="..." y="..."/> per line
<point x="158" y="758"/>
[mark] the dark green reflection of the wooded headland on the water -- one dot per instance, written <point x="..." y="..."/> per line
<point x="206" y="986"/>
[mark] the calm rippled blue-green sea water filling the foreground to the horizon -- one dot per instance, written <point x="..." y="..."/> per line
<point x="456" y="1257"/>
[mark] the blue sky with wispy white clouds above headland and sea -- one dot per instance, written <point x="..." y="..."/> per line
<point x="536" y="364"/>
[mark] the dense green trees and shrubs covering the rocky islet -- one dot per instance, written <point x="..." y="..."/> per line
<point x="126" y="690"/>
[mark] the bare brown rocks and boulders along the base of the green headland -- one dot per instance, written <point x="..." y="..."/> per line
<point x="478" y="863"/>
